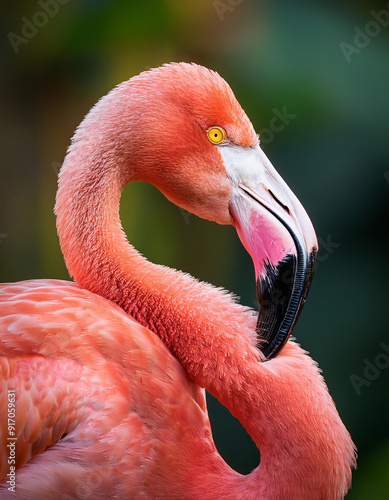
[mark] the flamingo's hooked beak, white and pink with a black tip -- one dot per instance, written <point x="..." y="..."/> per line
<point x="278" y="234"/>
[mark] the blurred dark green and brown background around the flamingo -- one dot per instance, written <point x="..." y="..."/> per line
<point x="301" y="58"/>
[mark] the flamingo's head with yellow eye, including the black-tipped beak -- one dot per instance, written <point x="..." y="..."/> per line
<point x="192" y="140"/>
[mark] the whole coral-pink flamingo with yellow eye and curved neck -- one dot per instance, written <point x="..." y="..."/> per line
<point x="108" y="373"/>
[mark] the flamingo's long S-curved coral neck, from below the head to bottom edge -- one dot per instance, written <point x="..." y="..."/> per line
<point x="210" y="335"/>
